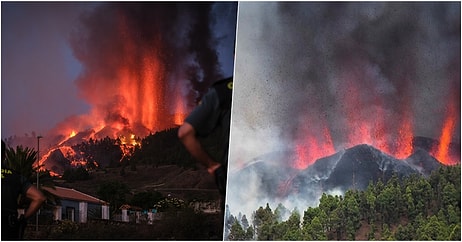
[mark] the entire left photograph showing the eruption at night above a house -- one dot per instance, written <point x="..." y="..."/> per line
<point x="115" y="119"/>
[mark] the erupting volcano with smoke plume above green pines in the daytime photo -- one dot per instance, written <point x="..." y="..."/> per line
<point x="337" y="95"/>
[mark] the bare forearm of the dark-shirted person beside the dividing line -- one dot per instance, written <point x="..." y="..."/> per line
<point x="187" y="135"/>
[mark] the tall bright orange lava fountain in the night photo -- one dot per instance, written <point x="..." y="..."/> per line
<point x="141" y="82"/>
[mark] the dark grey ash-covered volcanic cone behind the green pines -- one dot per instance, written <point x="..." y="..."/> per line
<point x="356" y="167"/>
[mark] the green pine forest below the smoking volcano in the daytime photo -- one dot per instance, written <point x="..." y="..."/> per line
<point x="415" y="208"/>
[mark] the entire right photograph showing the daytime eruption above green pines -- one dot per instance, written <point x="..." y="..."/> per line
<point x="345" y="122"/>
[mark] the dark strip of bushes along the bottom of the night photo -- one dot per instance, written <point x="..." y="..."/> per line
<point x="178" y="225"/>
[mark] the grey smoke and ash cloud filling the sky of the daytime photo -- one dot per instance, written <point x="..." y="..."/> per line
<point x="302" y="68"/>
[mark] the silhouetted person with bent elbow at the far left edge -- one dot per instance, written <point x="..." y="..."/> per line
<point x="13" y="185"/>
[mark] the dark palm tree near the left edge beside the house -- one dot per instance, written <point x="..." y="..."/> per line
<point x="22" y="161"/>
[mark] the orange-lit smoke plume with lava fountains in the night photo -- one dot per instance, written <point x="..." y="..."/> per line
<point x="144" y="63"/>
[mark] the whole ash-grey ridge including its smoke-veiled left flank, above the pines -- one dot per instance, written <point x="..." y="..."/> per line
<point x="352" y="168"/>
